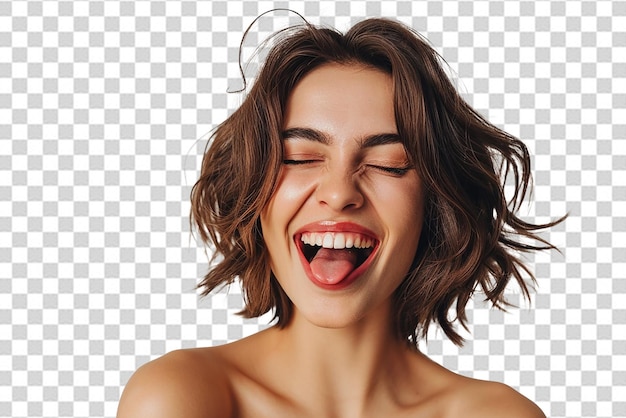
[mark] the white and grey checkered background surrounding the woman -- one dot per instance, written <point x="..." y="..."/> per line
<point x="105" y="107"/>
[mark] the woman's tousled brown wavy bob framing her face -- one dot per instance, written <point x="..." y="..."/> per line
<point x="471" y="234"/>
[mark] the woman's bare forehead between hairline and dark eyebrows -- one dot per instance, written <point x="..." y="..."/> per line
<point x="338" y="98"/>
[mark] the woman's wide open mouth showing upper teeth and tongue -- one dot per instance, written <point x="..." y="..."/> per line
<point x="335" y="257"/>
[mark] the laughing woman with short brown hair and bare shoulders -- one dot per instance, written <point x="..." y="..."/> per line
<point x="357" y="195"/>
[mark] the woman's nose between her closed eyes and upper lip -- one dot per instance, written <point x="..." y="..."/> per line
<point x="339" y="191"/>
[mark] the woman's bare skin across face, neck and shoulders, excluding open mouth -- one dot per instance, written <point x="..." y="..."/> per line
<point x="338" y="356"/>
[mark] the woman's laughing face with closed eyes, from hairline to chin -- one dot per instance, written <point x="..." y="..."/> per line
<point x="343" y="225"/>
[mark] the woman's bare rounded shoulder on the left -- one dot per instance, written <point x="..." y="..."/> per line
<point x="184" y="383"/>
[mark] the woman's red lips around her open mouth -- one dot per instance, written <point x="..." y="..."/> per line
<point x="332" y="226"/>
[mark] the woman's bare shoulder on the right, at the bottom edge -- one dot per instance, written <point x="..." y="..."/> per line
<point x="494" y="400"/>
